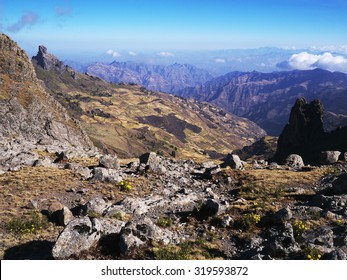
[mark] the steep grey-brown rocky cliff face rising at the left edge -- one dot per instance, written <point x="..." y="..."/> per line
<point x="27" y="112"/>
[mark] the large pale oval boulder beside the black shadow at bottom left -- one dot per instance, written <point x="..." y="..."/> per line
<point x="79" y="235"/>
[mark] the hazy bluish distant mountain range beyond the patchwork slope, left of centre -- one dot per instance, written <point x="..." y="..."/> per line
<point x="168" y="79"/>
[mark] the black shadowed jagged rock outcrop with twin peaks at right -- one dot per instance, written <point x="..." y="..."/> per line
<point x="304" y="135"/>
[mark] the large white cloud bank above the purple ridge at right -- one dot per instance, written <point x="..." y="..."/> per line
<point x="306" y="61"/>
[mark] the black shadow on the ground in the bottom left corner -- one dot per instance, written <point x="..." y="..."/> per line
<point x="33" y="250"/>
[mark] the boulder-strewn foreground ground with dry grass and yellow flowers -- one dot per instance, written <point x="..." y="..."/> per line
<point x="99" y="207"/>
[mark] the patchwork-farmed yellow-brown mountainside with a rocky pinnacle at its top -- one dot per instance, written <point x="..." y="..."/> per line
<point x="130" y="120"/>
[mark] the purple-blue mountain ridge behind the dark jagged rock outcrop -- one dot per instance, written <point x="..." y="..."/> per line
<point x="266" y="98"/>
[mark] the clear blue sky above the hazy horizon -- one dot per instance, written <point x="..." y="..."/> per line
<point x="90" y="26"/>
